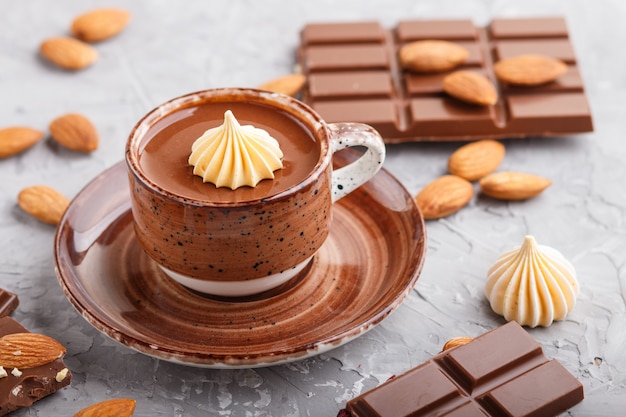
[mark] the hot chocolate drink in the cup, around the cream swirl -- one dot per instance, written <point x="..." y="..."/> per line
<point x="167" y="145"/>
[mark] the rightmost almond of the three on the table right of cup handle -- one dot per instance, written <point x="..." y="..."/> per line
<point x="513" y="185"/>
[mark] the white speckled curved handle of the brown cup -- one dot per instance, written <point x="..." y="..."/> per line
<point x="348" y="178"/>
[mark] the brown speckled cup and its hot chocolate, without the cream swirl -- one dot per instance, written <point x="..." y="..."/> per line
<point x="246" y="241"/>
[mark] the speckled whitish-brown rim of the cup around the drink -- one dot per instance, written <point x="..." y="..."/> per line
<point x="304" y="113"/>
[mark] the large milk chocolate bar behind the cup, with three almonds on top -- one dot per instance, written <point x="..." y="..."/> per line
<point x="353" y="75"/>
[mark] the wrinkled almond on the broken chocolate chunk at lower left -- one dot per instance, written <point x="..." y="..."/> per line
<point x="28" y="350"/>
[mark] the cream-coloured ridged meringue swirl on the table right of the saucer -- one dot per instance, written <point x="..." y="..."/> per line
<point x="532" y="284"/>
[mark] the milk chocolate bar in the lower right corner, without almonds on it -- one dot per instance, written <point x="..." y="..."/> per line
<point x="503" y="372"/>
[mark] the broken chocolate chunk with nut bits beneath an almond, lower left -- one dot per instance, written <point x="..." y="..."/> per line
<point x="21" y="388"/>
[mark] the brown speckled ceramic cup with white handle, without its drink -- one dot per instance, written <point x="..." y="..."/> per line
<point x="235" y="248"/>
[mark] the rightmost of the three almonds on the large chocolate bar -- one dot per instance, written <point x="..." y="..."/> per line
<point x="529" y="70"/>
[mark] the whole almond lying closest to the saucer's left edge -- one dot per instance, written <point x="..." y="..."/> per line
<point x="43" y="203"/>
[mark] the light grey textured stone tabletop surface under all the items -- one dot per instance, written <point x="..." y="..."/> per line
<point x="174" y="48"/>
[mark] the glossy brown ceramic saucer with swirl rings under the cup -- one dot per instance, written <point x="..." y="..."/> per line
<point x="365" y="269"/>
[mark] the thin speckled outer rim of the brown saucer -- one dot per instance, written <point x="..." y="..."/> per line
<point x="223" y="361"/>
